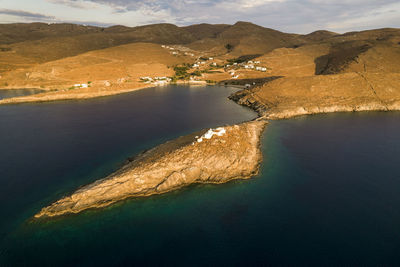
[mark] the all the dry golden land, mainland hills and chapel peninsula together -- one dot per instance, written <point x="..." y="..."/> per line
<point x="281" y="76"/>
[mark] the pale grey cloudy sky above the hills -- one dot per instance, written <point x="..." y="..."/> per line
<point x="299" y="16"/>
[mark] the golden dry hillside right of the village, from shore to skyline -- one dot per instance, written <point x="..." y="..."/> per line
<point x="350" y="75"/>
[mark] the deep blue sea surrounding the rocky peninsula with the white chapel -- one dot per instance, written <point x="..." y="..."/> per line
<point x="328" y="192"/>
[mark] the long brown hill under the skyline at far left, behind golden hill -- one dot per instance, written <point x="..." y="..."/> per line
<point x="53" y="48"/>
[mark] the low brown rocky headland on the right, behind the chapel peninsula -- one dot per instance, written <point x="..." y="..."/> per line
<point x="349" y="92"/>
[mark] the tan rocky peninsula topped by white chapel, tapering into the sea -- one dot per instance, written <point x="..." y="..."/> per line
<point x="232" y="154"/>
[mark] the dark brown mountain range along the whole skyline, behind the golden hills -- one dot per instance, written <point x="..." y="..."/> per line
<point x="32" y="43"/>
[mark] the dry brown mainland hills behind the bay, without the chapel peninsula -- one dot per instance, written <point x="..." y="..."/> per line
<point x="321" y="71"/>
